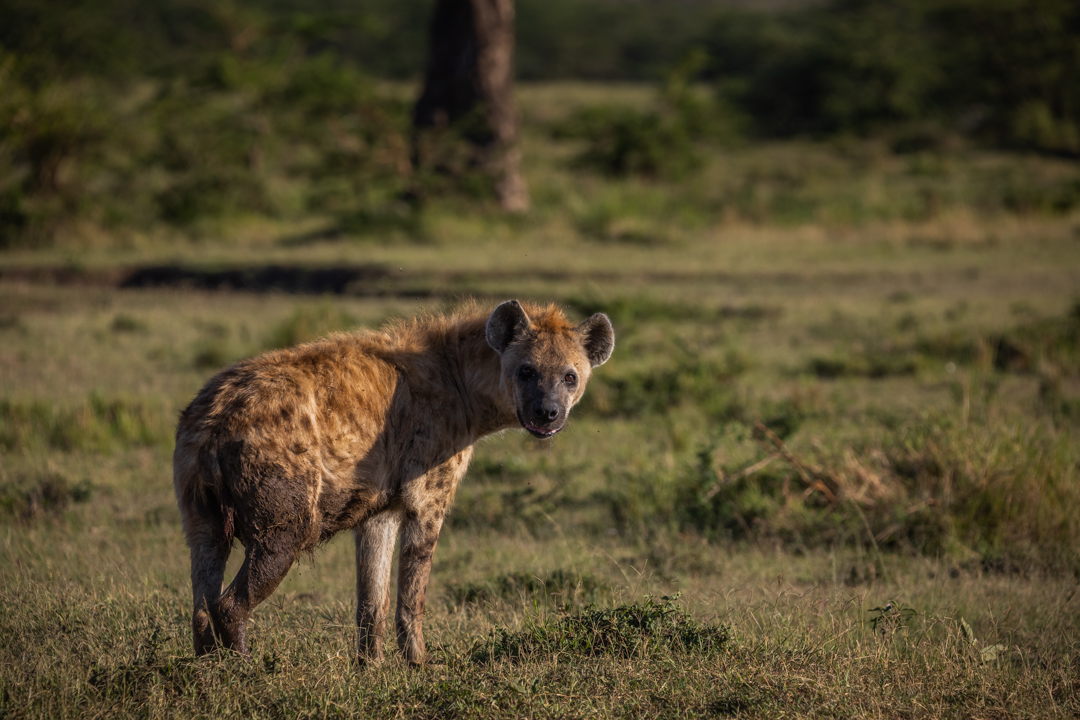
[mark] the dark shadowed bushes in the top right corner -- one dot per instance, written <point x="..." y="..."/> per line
<point x="1004" y="71"/>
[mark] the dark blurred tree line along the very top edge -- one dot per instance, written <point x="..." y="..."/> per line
<point x="1003" y="70"/>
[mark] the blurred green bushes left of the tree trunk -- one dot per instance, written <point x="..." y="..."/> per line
<point x="224" y="139"/>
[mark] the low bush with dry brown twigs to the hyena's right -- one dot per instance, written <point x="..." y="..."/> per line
<point x="919" y="492"/>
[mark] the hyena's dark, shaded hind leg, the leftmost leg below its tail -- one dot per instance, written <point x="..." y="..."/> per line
<point x="210" y="551"/>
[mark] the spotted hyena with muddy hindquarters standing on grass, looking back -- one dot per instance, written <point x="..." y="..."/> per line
<point x="369" y="432"/>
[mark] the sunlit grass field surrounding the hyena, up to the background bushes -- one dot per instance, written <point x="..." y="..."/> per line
<point x="832" y="469"/>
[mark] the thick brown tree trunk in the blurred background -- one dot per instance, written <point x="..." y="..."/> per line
<point x="470" y="71"/>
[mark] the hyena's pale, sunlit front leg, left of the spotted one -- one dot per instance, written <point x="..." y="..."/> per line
<point x="375" y="551"/>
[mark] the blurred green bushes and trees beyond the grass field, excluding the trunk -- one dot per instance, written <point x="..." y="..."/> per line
<point x="123" y="117"/>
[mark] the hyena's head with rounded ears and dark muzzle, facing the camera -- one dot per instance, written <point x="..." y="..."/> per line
<point x="547" y="361"/>
